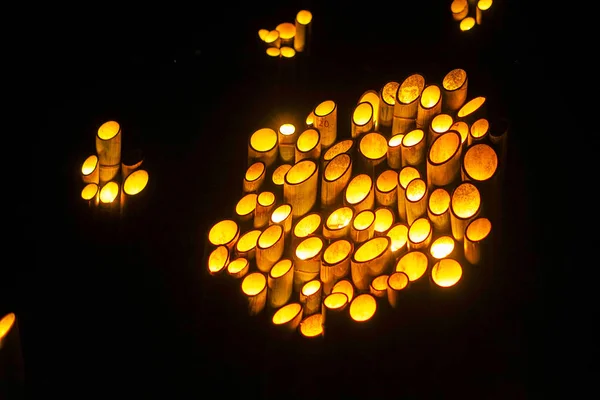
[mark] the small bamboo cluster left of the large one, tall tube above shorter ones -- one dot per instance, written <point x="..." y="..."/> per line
<point x="112" y="182"/>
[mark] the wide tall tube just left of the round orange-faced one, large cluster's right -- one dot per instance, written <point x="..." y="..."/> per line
<point x="443" y="159"/>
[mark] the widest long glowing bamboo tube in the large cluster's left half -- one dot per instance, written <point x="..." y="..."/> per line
<point x="300" y="187"/>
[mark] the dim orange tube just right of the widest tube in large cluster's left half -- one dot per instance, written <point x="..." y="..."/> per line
<point x="335" y="179"/>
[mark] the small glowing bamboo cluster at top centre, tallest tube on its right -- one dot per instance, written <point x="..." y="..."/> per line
<point x="288" y="39"/>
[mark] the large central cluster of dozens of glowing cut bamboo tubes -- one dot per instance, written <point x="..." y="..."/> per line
<point x="356" y="218"/>
